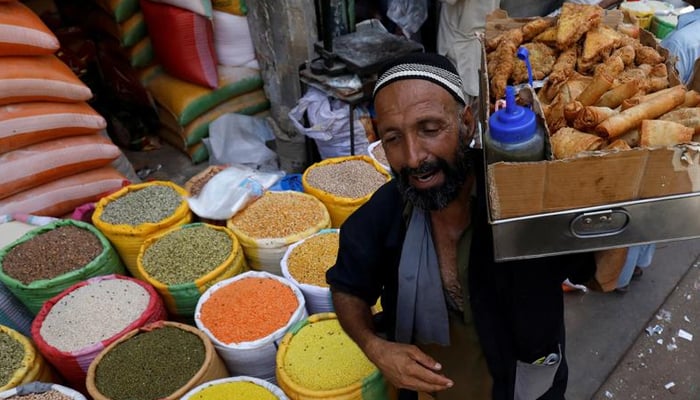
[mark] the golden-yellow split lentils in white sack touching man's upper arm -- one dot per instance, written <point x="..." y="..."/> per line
<point x="309" y="261"/>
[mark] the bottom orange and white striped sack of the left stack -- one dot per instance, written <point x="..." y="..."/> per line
<point x="62" y="196"/>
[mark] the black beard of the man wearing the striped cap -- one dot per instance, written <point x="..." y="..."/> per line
<point x="439" y="197"/>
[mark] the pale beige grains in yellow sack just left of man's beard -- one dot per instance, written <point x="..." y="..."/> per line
<point x="352" y="179"/>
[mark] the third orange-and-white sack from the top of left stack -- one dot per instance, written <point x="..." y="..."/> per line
<point x="23" y="124"/>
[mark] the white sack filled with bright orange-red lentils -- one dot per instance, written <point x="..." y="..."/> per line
<point x="246" y="316"/>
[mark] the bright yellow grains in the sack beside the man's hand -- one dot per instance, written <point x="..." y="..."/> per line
<point x="321" y="356"/>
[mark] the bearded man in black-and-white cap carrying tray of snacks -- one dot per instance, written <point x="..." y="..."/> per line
<point x="459" y="325"/>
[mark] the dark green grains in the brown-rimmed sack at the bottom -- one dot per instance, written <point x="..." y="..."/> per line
<point x="150" y="365"/>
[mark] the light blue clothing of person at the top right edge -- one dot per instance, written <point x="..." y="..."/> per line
<point x="684" y="42"/>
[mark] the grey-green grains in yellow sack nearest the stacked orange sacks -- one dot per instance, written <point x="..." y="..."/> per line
<point x="151" y="204"/>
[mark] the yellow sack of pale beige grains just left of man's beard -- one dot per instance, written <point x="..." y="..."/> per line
<point x="343" y="184"/>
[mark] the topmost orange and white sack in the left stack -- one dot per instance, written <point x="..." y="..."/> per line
<point x="22" y="32"/>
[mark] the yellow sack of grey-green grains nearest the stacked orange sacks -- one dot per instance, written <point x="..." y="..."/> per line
<point x="131" y="215"/>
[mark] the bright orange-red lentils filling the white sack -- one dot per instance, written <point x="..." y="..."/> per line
<point x="248" y="309"/>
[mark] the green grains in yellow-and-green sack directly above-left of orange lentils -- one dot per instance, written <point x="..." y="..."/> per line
<point x="186" y="254"/>
